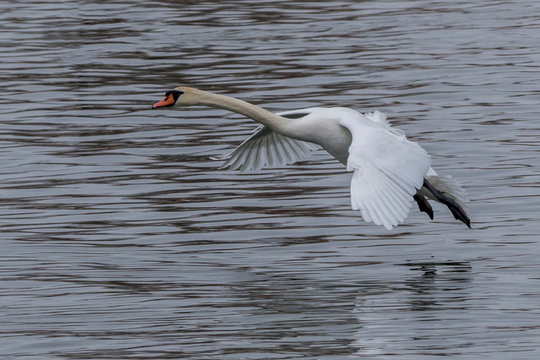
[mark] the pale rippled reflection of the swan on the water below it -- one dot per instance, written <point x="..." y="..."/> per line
<point x="411" y="312"/>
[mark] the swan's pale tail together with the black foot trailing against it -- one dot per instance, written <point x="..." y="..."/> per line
<point x="447" y="191"/>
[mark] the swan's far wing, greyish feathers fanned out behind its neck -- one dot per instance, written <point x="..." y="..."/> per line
<point x="266" y="148"/>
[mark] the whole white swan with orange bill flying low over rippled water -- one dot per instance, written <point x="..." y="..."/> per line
<point x="389" y="171"/>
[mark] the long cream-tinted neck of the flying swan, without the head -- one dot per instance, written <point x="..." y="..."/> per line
<point x="273" y="121"/>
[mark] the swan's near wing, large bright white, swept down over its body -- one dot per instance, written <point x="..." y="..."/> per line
<point x="388" y="170"/>
